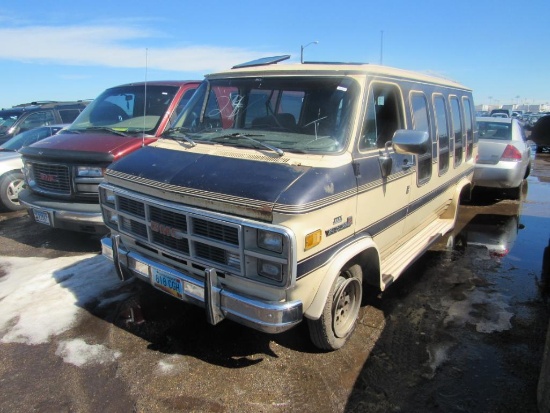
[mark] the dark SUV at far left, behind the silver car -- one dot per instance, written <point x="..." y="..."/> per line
<point x="24" y="117"/>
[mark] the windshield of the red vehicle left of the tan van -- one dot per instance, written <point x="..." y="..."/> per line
<point x="129" y="110"/>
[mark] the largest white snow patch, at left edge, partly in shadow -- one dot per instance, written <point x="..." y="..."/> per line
<point x="40" y="298"/>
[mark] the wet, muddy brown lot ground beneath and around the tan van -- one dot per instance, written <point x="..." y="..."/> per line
<point x="462" y="331"/>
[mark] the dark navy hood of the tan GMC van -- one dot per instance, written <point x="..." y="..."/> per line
<point x="239" y="185"/>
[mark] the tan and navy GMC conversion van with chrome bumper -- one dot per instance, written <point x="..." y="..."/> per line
<point x="286" y="190"/>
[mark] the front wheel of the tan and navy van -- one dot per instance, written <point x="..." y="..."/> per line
<point x="339" y="318"/>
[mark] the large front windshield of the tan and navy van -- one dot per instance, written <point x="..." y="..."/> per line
<point x="297" y="114"/>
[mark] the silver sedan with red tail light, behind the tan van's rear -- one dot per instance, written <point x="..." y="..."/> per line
<point x="504" y="157"/>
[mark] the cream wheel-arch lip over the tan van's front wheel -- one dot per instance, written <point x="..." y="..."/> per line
<point x="342" y="258"/>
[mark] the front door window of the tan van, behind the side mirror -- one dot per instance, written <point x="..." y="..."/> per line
<point x="384" y="116"/>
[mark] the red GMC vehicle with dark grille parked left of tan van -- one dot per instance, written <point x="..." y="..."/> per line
<point x="62" y="173"/>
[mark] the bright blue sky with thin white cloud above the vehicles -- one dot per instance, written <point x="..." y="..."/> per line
<point x="66" y="50"/>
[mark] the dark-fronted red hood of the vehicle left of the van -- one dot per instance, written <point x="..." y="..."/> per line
<point x="92" y="147"/>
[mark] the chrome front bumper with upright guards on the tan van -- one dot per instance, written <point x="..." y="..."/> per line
<point x="219" y="303"/>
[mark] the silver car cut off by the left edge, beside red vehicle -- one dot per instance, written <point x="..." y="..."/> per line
<point x="11" y="177"/>
